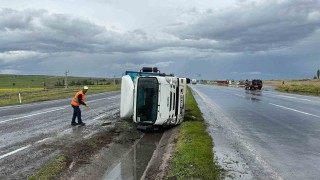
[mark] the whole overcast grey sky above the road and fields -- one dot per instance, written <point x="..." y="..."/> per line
<point x="210" y="39"/>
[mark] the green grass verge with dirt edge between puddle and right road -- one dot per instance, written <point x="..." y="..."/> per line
<point x="185" y="152"/>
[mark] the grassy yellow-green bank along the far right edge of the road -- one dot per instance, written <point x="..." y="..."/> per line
<point x="304" y="86"/>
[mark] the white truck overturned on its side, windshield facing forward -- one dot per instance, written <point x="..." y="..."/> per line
<point x="152" y="98"/>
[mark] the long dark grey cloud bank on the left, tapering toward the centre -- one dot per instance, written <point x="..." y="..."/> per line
<point x="38" y="30"/>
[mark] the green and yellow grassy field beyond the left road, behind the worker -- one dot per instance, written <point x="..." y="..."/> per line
<point x="31" y="88"/>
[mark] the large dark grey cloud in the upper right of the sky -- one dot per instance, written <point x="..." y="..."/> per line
<point x="255" y="26"/>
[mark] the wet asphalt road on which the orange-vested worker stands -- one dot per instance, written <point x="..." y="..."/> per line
<point x="24" y="128"/>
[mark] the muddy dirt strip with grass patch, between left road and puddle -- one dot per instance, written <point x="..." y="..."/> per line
<point x="79" y="160"/>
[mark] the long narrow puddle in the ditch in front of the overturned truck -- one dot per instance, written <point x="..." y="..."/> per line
<point x="133" y="164"/>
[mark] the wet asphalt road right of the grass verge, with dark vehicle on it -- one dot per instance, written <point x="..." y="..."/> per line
<point x="263" y="134"/>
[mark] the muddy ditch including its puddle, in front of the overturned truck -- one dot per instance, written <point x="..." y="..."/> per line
<point x="119" y="152"/>
